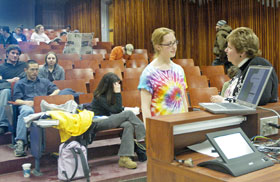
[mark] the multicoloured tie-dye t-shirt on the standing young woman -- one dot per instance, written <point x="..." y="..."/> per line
<point x="167" y="88"/>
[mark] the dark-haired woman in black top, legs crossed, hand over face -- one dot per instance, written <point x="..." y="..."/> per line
<point x="107" y="101"/>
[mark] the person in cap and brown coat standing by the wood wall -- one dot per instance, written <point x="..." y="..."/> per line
<point x="223" y="30"/>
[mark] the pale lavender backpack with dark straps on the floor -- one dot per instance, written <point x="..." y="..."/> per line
<point x="72" y="161"/>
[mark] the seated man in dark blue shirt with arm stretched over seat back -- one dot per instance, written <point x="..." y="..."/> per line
<point x="24" y="92"/>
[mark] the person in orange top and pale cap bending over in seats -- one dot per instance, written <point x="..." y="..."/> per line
<point x="119" y="52"/>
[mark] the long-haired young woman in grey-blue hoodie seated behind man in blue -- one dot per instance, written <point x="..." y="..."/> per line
<point x="51" y="69"/>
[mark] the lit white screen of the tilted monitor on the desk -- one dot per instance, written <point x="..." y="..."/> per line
<point x="233" y="145"/>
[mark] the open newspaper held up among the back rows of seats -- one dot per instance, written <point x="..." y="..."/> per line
<point x="78" y="43"/>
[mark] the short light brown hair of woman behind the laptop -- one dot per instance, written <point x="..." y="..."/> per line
<point x="245" y="40"/>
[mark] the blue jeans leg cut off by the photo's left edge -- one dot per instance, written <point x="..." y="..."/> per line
<point x="5" y="96"/>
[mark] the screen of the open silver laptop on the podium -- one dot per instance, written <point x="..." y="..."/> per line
<point x="252" y="87"/>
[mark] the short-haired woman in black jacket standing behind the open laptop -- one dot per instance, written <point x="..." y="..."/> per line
<point x="243" y="51"/>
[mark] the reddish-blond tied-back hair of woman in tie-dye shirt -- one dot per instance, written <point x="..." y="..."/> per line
<point x="157" y="37"/>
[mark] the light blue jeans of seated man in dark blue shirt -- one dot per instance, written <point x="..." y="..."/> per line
<point x="24" y="111"/>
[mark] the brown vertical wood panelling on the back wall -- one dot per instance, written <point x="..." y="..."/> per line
<point x="135" y="20"/>
